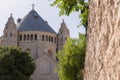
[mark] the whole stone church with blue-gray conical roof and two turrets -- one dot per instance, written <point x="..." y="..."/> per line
<point x="33" y="34"/>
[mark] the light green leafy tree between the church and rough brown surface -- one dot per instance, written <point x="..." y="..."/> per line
<point x="71" y="59"/>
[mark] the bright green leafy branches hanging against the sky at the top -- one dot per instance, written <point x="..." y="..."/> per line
<point x="69" y="6"/>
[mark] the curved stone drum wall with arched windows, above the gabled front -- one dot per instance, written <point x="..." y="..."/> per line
<point x="37" y="47"/>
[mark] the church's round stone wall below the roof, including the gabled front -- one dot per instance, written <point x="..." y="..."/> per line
<point x="44" y="52"/>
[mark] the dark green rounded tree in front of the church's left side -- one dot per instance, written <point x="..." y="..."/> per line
<point x="15" y="64"/>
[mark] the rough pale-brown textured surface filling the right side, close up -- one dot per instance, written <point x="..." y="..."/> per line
<point x="103" y="41"/>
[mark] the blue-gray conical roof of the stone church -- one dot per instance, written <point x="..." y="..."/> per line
<point x="33" y="22"/>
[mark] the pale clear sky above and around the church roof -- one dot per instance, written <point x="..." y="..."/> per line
<point x="21" y="8"/>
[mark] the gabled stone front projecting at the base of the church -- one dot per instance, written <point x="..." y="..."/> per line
<point x="45" y="69"/>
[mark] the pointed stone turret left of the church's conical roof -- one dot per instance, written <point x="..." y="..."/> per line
<point x="10" y="33"/>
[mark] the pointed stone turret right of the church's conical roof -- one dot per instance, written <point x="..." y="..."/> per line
<point x="63" y="34"/>
